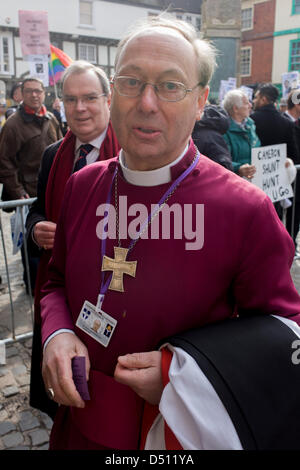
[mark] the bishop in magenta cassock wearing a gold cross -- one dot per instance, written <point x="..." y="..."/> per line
<point x="239" y="265"/>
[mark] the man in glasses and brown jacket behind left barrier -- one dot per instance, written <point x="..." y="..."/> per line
<point x="23" y="140"/>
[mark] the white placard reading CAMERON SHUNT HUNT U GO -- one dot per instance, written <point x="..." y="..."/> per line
<point x="271" y="175"/>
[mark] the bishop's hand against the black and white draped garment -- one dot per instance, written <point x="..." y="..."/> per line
<point x="141" y="372"/>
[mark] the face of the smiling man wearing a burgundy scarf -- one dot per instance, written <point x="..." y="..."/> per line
<point x="87" y="112"/>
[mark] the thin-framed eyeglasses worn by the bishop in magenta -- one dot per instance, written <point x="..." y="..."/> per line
<point x="166" y="91"/>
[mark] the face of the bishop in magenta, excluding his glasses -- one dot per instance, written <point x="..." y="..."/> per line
<point x="153" y="132"/>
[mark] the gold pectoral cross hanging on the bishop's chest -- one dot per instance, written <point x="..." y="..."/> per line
<point x="119" y="266"/>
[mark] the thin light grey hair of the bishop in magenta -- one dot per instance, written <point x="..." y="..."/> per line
<point x="204" y="50"/>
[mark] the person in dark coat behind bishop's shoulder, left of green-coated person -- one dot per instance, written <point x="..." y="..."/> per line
<point x="208" y="135"/>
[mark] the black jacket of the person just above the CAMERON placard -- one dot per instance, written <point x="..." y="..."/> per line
<point x="272" y="128"/>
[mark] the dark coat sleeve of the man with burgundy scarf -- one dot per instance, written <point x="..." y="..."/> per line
<point x="37" y="211"/>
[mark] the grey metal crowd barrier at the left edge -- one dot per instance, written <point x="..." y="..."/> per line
<point x="12" y="205"/>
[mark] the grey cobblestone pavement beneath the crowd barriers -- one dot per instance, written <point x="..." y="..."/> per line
<point x="21" y="426"/>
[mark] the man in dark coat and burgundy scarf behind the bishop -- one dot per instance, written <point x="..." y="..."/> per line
<point x="86" y="96"/>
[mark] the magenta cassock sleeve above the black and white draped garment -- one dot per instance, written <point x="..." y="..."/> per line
<point x="263" y="282"/>
